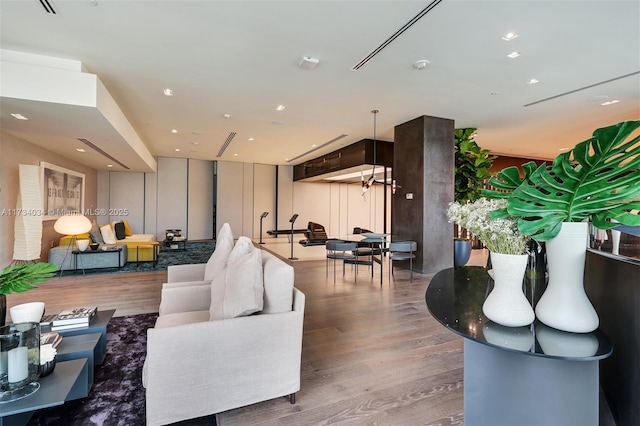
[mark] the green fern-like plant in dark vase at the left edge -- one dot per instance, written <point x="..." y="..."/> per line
<point x="20" y="277"/>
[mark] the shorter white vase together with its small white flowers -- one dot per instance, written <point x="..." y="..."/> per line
<point x="506" y="303"/>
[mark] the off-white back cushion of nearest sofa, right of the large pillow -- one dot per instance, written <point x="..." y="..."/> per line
<point x="278" y="284"/>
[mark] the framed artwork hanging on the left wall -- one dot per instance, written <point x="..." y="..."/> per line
<point x="63" y="191"/>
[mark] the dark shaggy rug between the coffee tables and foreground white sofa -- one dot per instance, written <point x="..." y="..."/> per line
<point x="117" y="397"/>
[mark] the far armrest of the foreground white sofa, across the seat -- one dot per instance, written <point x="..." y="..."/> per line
<point x="185" y="298"/>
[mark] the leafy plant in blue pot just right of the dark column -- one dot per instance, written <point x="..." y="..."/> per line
<point x="471" y="169"/>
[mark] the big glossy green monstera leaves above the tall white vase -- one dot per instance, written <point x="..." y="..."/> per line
<point x="599" y="179"/>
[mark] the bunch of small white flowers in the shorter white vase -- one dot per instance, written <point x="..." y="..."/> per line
<point x="499" y="235"/>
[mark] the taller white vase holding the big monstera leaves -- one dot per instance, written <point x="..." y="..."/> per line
<point x="564" y="304"/>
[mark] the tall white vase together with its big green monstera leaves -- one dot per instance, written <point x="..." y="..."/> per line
<point x="599" y="179"/>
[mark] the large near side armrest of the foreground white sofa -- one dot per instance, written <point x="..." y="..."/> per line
<point x="256" y="358"/>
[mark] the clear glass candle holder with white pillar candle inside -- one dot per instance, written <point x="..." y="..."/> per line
<point x="19" y="360"/>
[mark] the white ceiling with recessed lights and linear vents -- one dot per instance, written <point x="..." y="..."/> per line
<point x="240" y="58"/>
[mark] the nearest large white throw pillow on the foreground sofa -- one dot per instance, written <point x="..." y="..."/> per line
<point x="243" y="283"/>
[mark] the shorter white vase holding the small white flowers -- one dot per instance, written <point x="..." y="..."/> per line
<point x="506" y="304"/>
